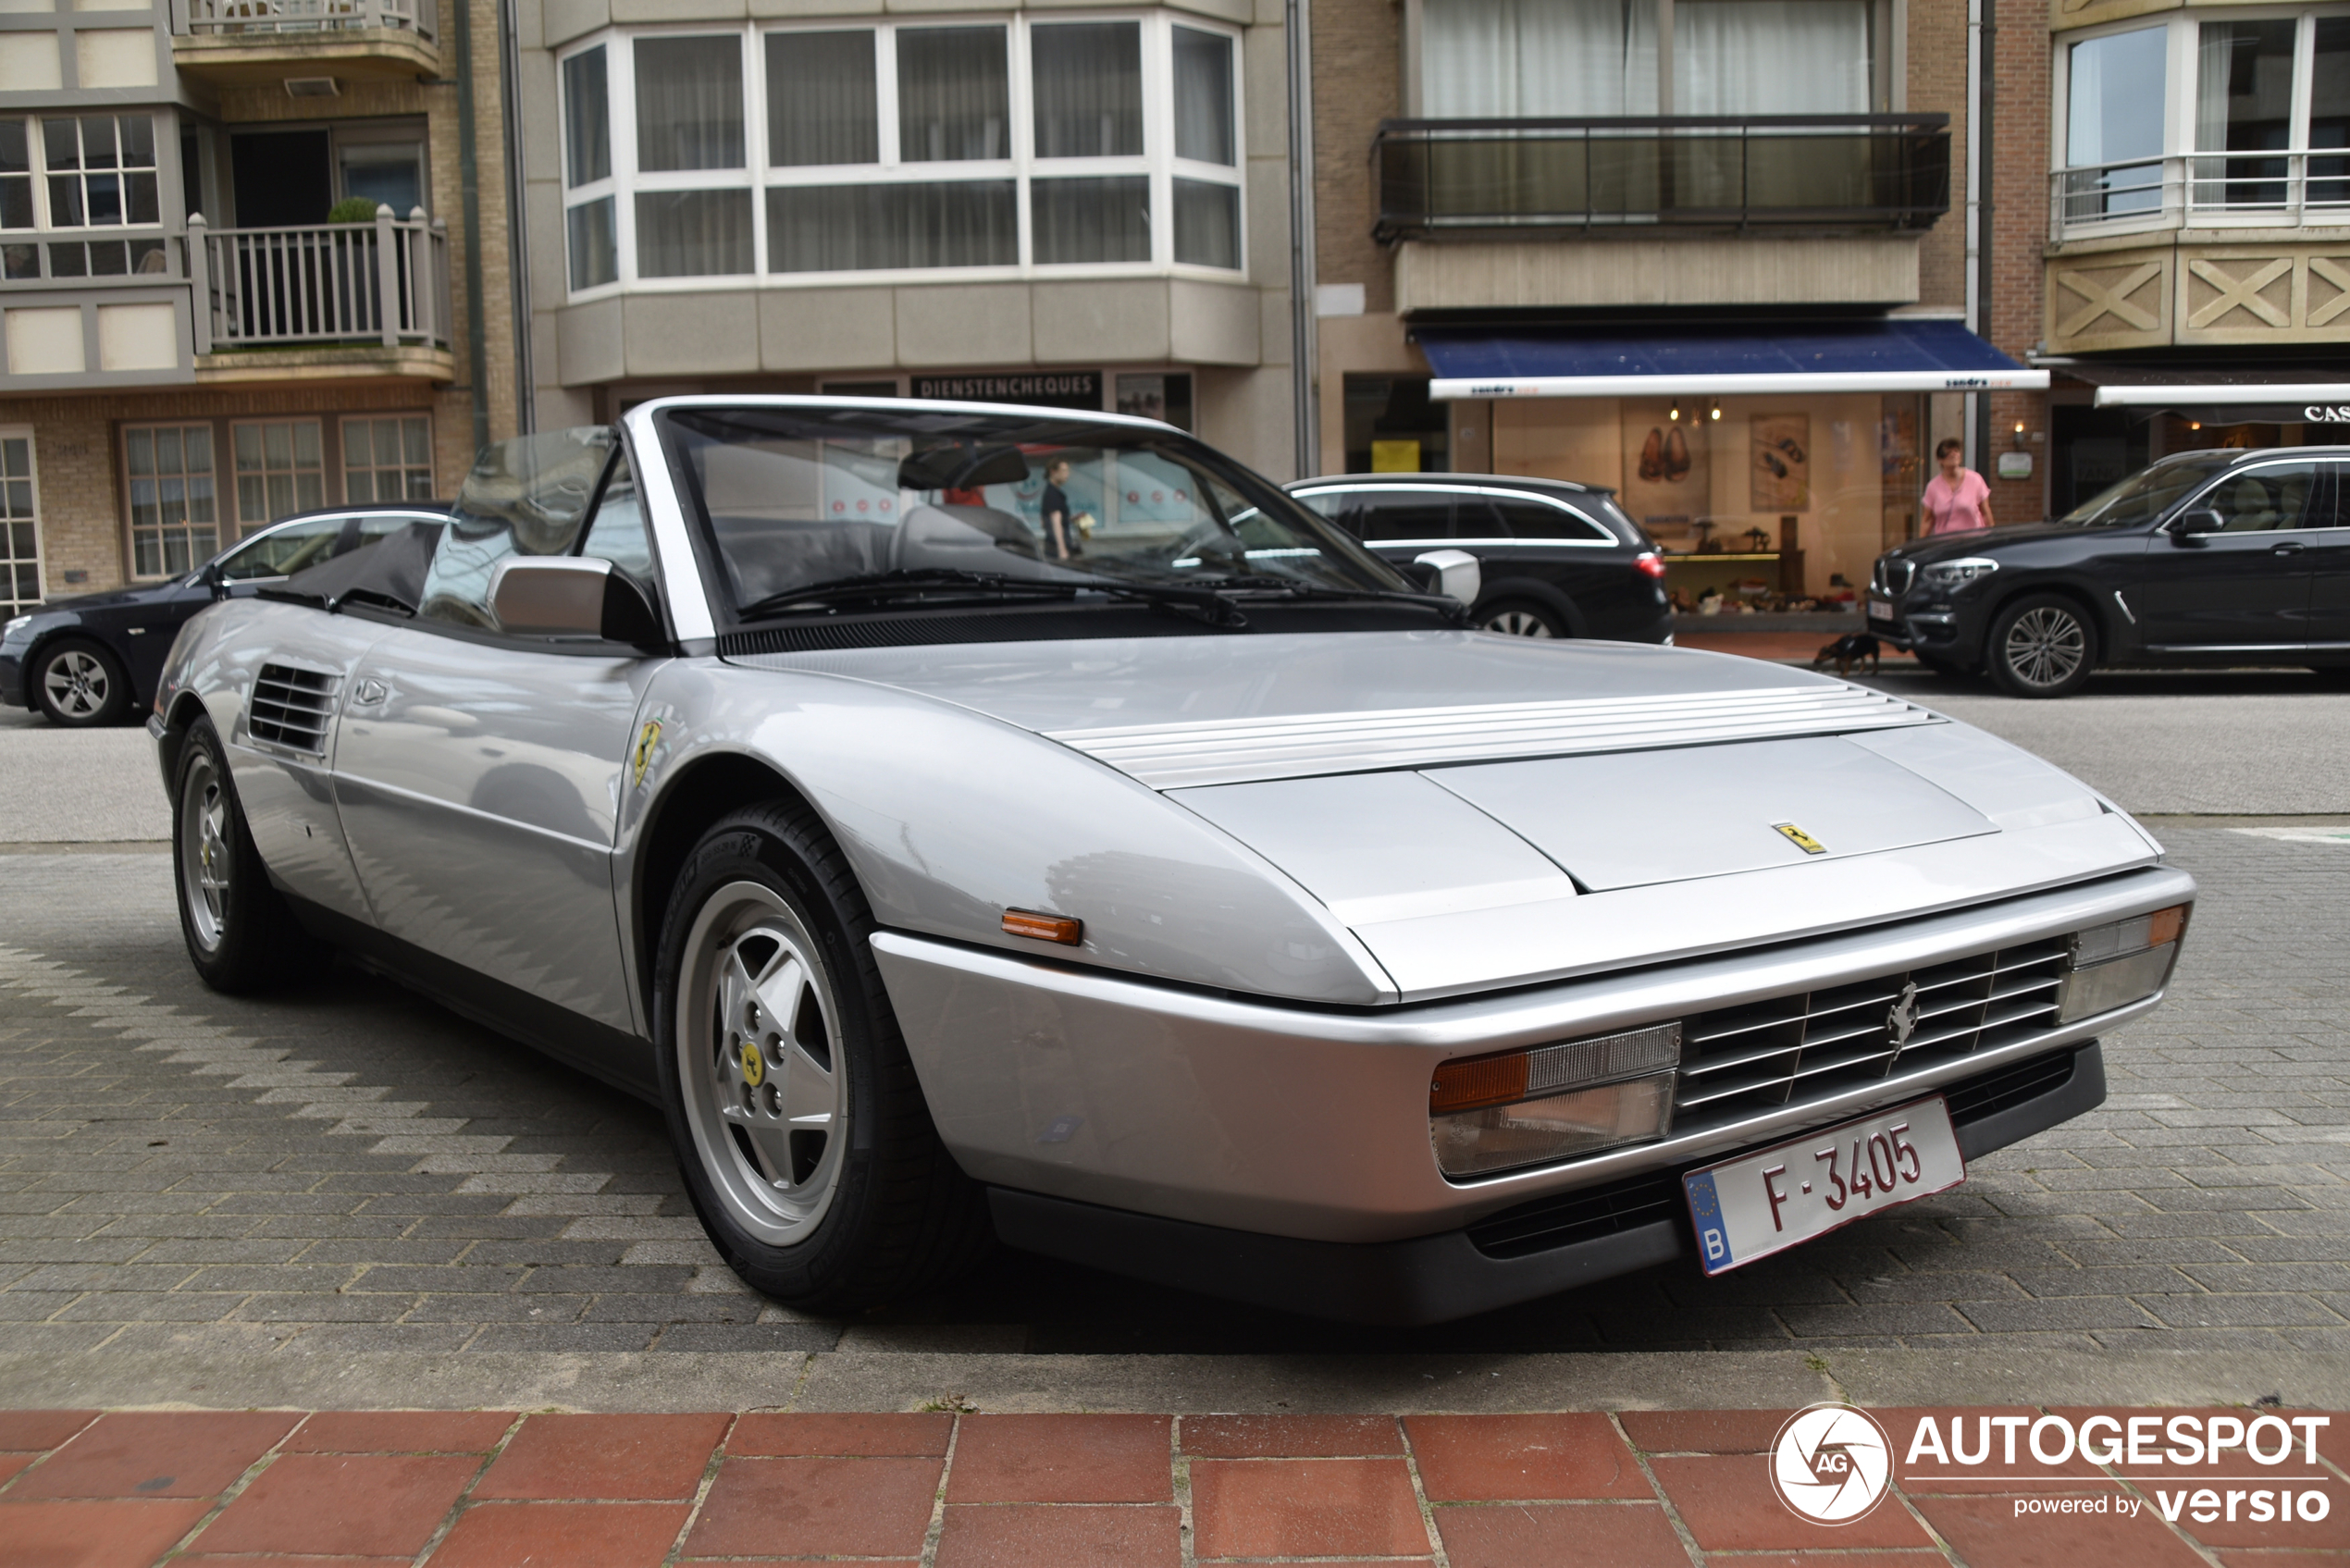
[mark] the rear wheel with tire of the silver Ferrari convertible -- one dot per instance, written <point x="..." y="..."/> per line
<point x="241" y="932"/>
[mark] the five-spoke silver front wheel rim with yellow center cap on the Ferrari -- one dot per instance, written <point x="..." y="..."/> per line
<point x="765" y="1085"/>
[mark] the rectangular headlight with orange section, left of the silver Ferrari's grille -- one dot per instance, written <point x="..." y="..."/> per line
<point x="1522" y="1108"/>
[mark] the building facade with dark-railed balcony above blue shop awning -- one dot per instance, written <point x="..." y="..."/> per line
<point x="1707" y="253"/>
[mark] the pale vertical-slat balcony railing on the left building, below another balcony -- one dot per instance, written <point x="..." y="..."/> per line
<point x="333" y="286"/>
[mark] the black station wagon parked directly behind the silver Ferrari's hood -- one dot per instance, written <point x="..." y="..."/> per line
<point x="1557" y="558"/>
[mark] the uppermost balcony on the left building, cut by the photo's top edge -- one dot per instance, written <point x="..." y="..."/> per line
<point x="269" y="41"/>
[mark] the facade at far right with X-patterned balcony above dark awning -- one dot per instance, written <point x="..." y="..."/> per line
<point x="2194" y="234"/>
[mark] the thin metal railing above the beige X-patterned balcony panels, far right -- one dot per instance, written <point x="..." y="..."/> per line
<point x="2203" y="192"/>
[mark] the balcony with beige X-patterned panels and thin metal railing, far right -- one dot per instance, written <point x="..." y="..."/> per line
<point x="2201" y="250"/>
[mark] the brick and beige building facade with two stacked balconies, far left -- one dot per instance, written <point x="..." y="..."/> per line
<point x="253" y="260"/>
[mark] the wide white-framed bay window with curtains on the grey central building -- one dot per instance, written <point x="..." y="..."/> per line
<point x="904" y="147"/>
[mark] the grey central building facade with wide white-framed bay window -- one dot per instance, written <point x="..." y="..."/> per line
<point x="1059" y="206"/>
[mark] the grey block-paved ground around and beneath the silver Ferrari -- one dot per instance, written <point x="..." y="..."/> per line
<point x="356" y="1170"/>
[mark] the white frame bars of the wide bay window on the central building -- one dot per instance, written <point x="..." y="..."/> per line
<point x="1157" y="159"/>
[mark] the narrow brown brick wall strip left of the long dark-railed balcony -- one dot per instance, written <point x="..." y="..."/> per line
<point x="1357" y="83"/>
